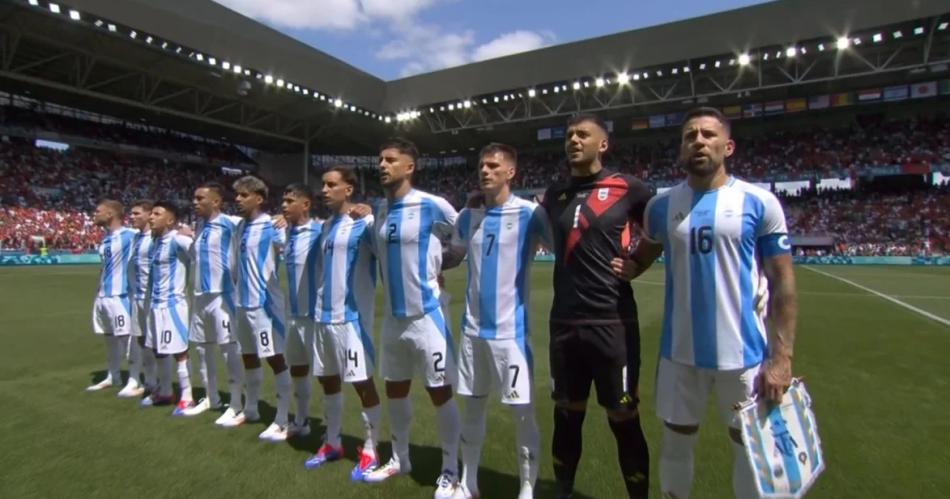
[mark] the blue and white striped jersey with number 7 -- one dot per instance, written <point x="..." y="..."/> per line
<point x="501" y="243"/>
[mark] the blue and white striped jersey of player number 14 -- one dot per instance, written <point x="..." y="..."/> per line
<point x="347" y="286"/>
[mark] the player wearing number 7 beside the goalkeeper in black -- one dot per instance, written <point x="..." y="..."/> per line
<point x="495" y="353"/>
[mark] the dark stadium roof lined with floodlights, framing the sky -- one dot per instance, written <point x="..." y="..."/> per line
<point x="277" y="92"/>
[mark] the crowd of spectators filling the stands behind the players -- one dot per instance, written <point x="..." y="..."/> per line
<point x="51" y="194"/>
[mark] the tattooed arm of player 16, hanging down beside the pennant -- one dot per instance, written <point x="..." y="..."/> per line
<point x="776" y="373"/>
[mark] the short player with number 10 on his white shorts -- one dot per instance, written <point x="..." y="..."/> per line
<point x="168" y="307"/>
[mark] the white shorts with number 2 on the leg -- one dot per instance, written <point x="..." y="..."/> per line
<point x="418" y="345"/>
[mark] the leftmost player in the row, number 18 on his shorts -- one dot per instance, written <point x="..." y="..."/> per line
<point x="111" y="310"/>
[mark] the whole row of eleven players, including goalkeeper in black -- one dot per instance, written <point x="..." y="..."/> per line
<point x="719" y="234"/>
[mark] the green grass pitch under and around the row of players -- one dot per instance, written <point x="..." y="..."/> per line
<point x="879" y="375"/>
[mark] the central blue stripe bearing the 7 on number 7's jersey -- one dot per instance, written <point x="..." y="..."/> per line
<point x="488" y="277"/>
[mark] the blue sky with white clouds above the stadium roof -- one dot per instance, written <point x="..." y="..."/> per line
<point x="397" y="38"/>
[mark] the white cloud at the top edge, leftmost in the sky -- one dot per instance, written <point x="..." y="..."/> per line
<point x="326" y="14"/>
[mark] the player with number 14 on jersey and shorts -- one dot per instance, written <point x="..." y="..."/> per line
<point x="344" y="315"/>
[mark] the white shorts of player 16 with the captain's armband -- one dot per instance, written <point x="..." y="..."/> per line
<point x="682" y="390"/>
